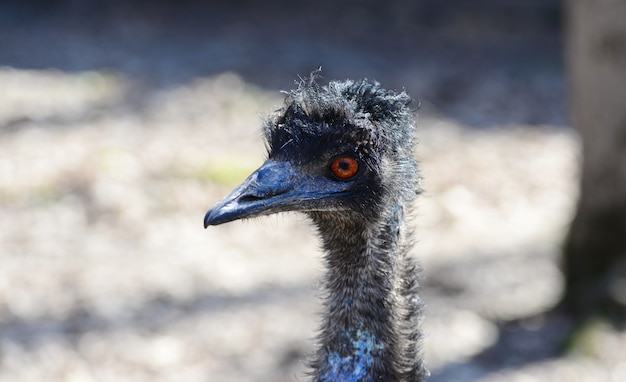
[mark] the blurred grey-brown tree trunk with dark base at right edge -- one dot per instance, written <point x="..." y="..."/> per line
<point x="595" y="250"/>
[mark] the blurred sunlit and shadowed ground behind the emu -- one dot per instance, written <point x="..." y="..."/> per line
<point x="121" y="124"/>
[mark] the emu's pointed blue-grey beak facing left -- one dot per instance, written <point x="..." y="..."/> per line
<point x="273" y="187"/>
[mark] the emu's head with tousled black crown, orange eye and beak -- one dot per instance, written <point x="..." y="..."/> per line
<point x="345" y="147"/>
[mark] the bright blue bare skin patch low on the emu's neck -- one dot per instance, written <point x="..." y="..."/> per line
<point x="356" y="366"/>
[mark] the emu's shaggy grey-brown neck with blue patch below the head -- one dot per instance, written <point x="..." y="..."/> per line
<point x="371" y="328"/>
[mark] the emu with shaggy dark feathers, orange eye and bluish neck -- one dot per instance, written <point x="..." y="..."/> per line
<point x="343" y="154"/>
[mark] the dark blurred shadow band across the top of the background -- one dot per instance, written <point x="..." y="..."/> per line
<point x="444" y="53"/>
